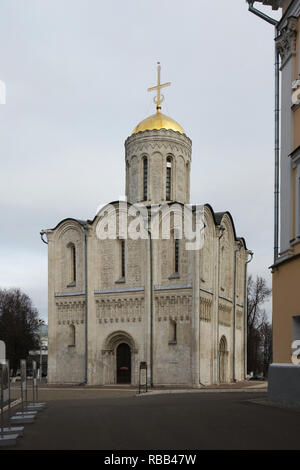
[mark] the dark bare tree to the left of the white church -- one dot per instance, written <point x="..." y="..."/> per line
<point x="19" y="325"/>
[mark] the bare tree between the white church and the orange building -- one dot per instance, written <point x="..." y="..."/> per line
<point x="257" y="355"/>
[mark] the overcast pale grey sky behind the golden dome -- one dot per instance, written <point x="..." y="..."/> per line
<point x="77" y="72"/>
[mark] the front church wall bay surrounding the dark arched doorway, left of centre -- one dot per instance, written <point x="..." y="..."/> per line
<point x="116" y="304"/>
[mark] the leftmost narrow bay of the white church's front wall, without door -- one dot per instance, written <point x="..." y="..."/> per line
<point x="62" y="311"/>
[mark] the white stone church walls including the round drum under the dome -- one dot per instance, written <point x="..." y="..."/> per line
<point x="186" y="303"/>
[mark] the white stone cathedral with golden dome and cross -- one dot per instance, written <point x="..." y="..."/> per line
<point x="116" y="302"/>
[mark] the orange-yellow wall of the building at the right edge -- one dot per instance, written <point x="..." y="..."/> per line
<point x="286" y="270"/>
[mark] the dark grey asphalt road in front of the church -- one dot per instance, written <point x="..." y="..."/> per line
<point x="119" y="421"/>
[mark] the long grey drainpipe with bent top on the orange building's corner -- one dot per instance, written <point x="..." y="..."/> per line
<point x="274" y="22"/>
